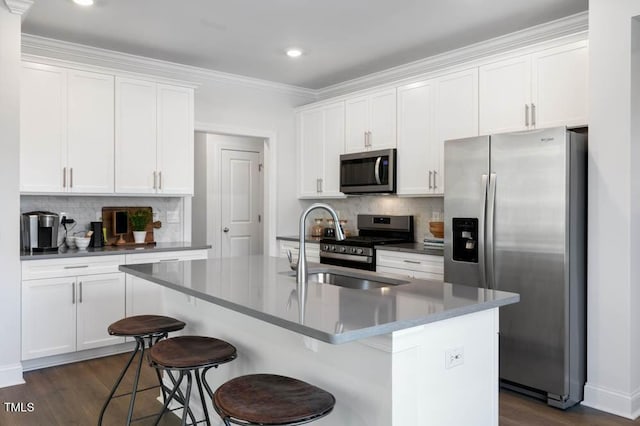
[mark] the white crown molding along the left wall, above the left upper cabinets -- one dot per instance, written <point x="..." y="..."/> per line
<point x="37" y="46"/>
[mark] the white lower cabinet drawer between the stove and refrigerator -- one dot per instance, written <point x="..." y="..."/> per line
<point x="413" y="265"/>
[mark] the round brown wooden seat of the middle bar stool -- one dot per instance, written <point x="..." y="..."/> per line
<point x="191" y="352"/>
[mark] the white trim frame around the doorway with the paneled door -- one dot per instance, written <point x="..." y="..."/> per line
<point x="269" y="190"/>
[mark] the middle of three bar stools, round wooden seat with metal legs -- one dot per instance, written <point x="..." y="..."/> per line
<point x="184" y="355"/>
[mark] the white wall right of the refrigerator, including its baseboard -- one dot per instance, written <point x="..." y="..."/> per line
<point x="613" y="360"/>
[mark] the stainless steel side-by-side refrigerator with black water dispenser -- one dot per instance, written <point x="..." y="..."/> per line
<point x="515" y="220"/>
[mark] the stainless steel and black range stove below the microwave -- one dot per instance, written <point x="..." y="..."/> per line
<point x="358" y="251"/>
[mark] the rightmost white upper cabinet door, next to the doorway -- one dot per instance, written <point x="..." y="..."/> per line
<point x="175" y="140"/>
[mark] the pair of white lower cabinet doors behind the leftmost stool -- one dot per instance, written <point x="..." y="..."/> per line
<point x="70" y="313"/>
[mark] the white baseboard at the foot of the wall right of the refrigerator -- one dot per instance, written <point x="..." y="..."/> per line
<point x="612" y="401"/>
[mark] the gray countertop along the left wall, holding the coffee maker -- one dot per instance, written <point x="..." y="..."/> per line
<point x="110" y="250"/>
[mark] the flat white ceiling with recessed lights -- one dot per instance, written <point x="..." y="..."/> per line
<point x="341" y="39"/>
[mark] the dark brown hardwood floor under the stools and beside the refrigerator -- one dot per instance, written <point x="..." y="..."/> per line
<point x="73" y="394"/>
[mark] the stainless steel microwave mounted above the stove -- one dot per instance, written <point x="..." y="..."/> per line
<point x="370" y="172"/>
